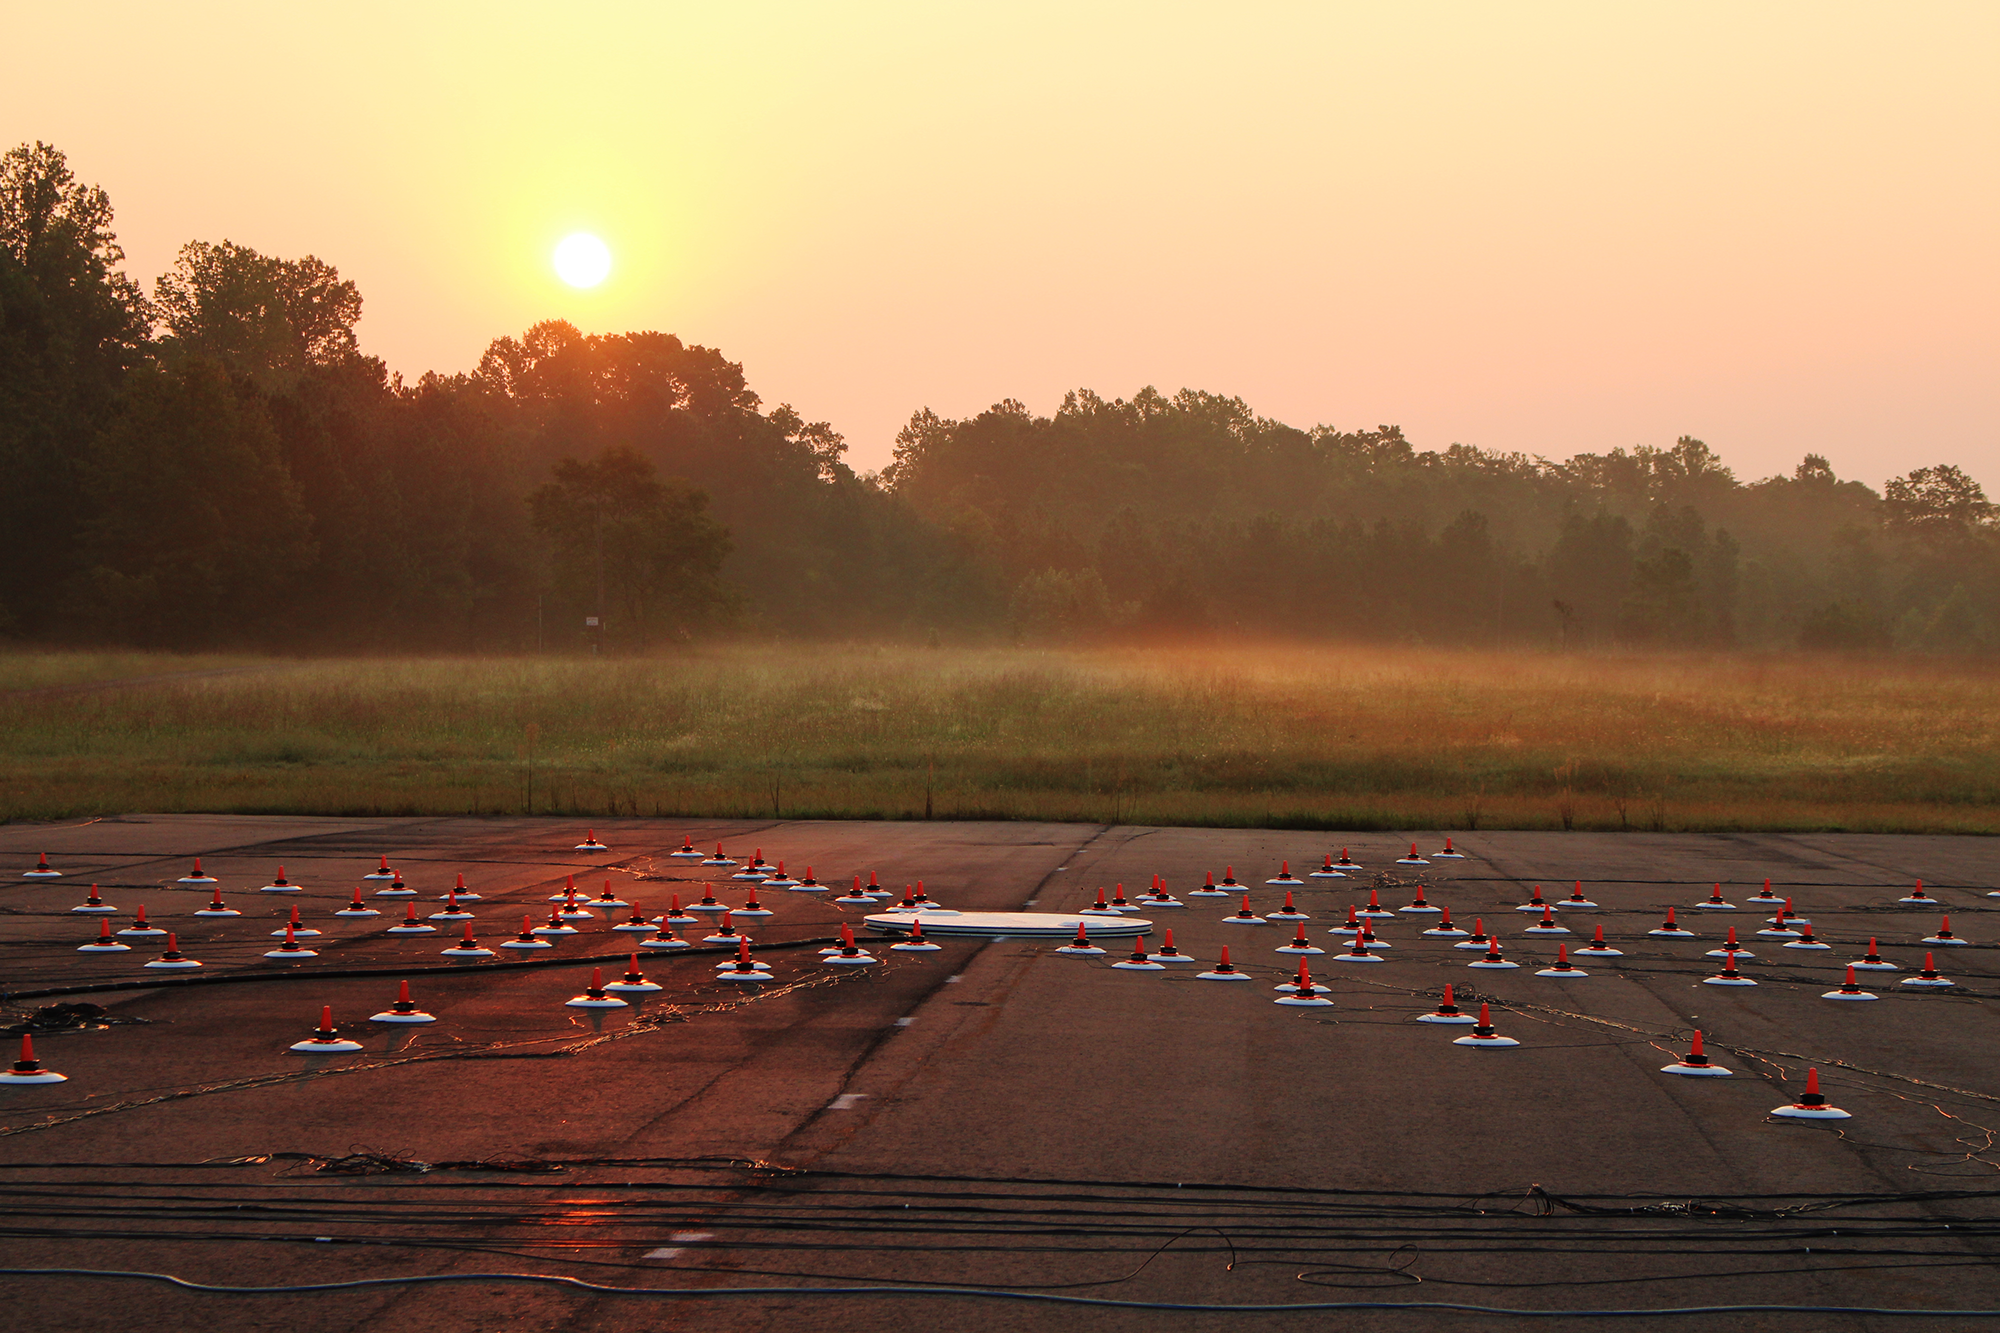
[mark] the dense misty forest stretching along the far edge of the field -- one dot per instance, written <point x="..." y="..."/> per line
<point x="217" y="463"/>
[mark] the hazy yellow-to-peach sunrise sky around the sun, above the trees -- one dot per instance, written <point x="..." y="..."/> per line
<point x="1539" y="227"/>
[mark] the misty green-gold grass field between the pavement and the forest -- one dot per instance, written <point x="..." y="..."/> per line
<point x="1249" y="736"/>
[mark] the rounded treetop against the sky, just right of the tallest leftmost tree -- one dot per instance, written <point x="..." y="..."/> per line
<point x="255" y="313"/>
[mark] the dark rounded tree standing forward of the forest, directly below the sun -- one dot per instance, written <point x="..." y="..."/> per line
<point x="633" y="547"/>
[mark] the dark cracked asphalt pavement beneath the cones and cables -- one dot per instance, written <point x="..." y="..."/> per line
<point x="1053" y="1138"/>
